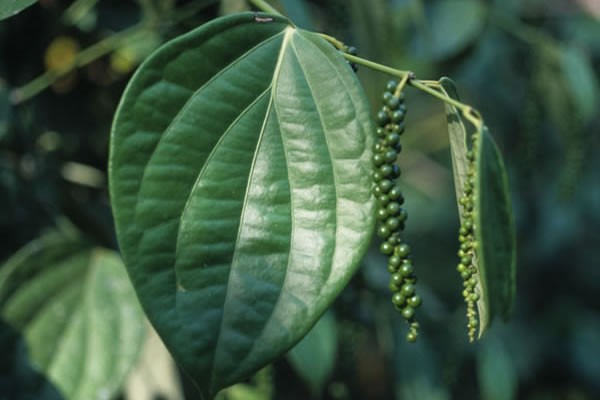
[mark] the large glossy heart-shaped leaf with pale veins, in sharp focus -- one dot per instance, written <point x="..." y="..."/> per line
<point x="240" y="183"/>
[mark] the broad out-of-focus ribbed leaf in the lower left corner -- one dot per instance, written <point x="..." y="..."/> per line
<point x="76" y="309"/>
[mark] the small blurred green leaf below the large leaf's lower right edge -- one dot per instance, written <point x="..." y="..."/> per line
<point x="319" y="344"/>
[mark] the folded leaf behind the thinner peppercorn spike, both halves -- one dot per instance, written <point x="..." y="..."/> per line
<point x="494" y="230"/>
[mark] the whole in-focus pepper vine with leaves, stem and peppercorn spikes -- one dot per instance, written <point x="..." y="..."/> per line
<point x="246" y="178"/>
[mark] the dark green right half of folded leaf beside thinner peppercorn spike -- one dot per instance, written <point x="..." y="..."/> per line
<point x="494" y="230"/>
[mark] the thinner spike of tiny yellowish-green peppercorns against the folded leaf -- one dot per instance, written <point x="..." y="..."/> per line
<point x="468" y="244"/>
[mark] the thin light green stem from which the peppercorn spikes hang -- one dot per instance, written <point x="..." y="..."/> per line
<point x="406" y="77"/>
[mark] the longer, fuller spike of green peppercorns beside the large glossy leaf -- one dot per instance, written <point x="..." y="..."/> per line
<point x="391" y="215"/>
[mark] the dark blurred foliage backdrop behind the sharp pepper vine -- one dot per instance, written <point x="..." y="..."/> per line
<point x="531" y="67"/>
